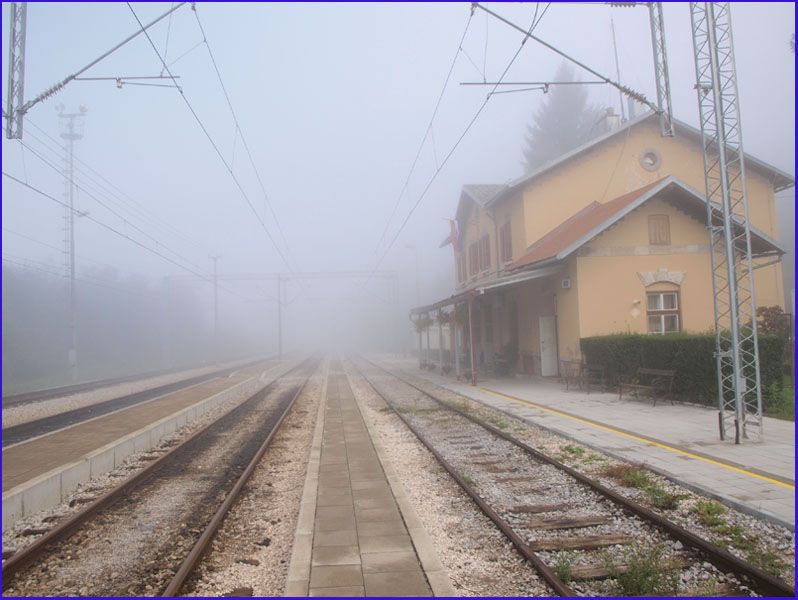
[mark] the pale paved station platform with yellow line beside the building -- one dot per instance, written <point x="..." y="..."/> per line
<point x="679" y="441"/>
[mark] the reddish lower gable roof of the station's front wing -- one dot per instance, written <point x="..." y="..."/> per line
<point x="594" y="219"/>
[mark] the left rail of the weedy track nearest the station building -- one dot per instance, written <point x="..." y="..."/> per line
<point x="545" y="571"/>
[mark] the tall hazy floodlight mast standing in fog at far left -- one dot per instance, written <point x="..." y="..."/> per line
<point x="71" y="130"/>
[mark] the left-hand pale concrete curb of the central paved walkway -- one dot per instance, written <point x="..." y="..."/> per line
<point x="298" y="579"/>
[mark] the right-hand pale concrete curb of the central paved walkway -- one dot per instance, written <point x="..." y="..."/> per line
<point x="437" y="575"/>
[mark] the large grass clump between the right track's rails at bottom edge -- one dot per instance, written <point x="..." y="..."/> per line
<point x="647" y="574"/>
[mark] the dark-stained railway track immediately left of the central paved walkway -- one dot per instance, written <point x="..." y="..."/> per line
<point x="145" y="536"/>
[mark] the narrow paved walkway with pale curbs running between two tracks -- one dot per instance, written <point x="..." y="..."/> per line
<point x="357" y="534"/>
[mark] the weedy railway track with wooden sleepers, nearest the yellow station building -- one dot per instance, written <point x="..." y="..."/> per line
<point x="579" y="535"/>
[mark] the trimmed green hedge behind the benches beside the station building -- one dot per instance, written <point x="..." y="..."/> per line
<point x="691" y="355"/>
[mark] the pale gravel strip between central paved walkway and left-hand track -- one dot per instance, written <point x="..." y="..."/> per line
<point x="252" y="550"/>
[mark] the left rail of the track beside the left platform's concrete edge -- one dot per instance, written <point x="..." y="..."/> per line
<point x="66" y="528"/>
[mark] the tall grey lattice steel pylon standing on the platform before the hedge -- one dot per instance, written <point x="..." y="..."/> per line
<point x="736" y="351"/>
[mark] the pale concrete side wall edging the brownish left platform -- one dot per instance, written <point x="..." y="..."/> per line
<point x="49" y="489"/>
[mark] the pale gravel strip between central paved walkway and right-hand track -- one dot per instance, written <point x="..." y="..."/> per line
<point x="480" y="561"/>
